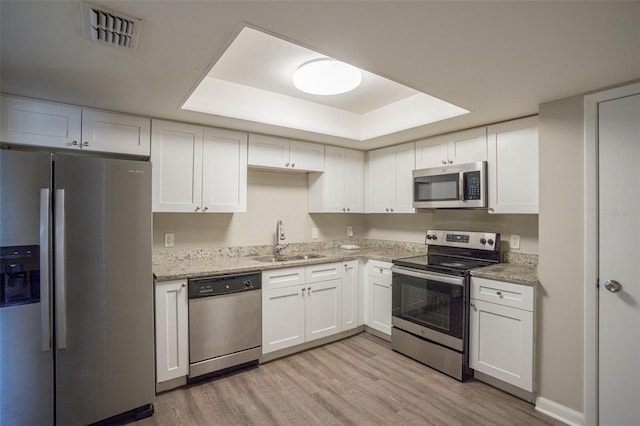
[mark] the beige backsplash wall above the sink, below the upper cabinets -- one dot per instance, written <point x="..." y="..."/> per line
<point x="270" y="196"/>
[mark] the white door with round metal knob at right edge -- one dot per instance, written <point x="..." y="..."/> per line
<point x="619" y="252"/>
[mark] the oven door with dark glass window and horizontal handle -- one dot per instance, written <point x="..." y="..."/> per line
<point x="430" y="305"/>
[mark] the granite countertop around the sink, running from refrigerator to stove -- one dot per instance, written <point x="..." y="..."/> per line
<point x="170" y="269"/>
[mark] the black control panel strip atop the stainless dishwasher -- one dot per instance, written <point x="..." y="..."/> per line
<point x="224" y="284"/>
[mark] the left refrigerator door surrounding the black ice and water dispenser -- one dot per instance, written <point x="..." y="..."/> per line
<point x="26" y="360"/>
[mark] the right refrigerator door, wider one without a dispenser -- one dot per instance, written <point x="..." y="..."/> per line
<point x="106" y="366"/>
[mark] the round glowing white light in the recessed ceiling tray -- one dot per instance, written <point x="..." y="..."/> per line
<point x="326" y="77"/>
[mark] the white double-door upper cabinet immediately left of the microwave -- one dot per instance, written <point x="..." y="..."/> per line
<point x="390" y="183"/>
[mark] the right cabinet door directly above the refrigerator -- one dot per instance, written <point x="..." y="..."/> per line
<point x="104" y="131"/>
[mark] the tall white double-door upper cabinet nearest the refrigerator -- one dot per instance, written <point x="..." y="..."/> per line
<point x="198" y="169"/>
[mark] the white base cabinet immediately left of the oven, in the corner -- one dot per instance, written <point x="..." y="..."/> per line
<point x="378" y="296"/>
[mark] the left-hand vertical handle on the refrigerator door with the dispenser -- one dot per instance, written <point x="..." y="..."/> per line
<point x="45" y="308"/>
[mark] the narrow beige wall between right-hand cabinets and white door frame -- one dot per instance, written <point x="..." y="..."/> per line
<point x="561" y="251"/>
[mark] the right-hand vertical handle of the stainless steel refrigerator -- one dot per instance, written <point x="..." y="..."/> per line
<point x="61" y="302"/>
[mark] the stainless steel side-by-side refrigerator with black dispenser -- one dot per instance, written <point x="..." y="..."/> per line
<point x="76" y="312"/>
